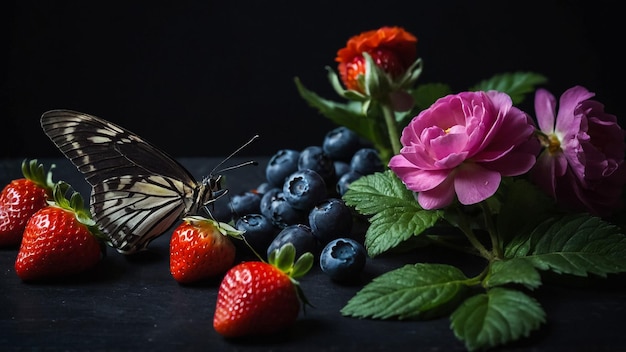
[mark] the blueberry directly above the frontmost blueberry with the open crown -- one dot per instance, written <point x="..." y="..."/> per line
<point x="330" y="219"/>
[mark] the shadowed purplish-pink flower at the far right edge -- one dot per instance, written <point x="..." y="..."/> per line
<point x="582" y="165"/>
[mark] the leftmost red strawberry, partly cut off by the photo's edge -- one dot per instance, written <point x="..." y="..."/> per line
<point x="21" y="198"/>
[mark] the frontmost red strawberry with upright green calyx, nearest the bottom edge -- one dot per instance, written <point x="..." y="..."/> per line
<point x="258" y="298"/>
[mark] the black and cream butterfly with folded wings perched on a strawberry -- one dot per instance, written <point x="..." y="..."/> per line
<point x="138" y="191"/>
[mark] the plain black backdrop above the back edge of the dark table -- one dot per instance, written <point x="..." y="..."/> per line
<point x="198" y="78"/>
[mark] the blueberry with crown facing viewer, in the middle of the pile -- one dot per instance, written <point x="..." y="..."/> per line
<point x="304" y="188"/>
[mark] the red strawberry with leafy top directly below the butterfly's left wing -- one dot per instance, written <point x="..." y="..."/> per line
<point x="59" y="240"/>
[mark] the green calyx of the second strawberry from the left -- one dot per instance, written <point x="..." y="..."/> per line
<point x="74" y="204"/>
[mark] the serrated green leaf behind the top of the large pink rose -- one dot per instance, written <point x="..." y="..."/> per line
<point x="516" y="85"/>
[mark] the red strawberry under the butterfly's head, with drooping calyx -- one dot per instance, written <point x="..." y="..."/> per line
<point x="200" y="249"/>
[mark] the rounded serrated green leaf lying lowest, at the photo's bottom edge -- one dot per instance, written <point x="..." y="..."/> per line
<point x="496" y="318"/>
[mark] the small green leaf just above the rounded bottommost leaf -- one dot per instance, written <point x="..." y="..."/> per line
<point x="513" y="271"/>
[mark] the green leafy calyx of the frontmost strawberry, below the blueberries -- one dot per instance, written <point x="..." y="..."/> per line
<point x="284" y="259"/>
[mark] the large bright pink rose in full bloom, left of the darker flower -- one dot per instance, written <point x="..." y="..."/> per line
<point x="463" y="144"/>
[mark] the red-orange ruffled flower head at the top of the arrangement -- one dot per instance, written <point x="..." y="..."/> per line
<point x="392" y="48"/>
